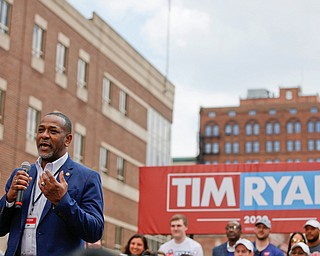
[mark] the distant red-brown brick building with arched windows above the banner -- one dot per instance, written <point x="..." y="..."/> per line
<point x="263" y="128"/>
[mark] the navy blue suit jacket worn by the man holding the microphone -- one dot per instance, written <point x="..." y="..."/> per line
<point x="78" y="217"/>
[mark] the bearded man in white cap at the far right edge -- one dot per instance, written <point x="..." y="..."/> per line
<point x="311" y="228"/>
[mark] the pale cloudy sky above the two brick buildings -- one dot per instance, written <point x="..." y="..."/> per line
<point x="219" y="49"/>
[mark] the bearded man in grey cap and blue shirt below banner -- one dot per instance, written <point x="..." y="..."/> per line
<point x="262" y="245"/>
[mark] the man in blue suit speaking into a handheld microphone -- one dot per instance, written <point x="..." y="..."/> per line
<point x="62" y="205"/>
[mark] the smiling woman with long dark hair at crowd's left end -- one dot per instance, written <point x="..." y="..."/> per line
<point x="136" y="245"/>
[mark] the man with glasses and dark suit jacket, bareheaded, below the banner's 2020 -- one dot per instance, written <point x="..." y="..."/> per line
<point x="233" y="232"/>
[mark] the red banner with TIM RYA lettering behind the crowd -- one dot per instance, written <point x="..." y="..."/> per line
<point x="287" y="194"/>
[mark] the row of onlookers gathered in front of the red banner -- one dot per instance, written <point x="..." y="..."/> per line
<point x="300" y="243"/>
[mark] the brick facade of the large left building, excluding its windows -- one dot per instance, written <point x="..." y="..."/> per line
<point x="124" y="134"/>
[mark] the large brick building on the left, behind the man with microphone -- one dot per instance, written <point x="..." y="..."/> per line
<point x="53" y="59"/>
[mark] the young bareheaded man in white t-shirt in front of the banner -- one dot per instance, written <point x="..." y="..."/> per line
<point x="180" y="244"/>
